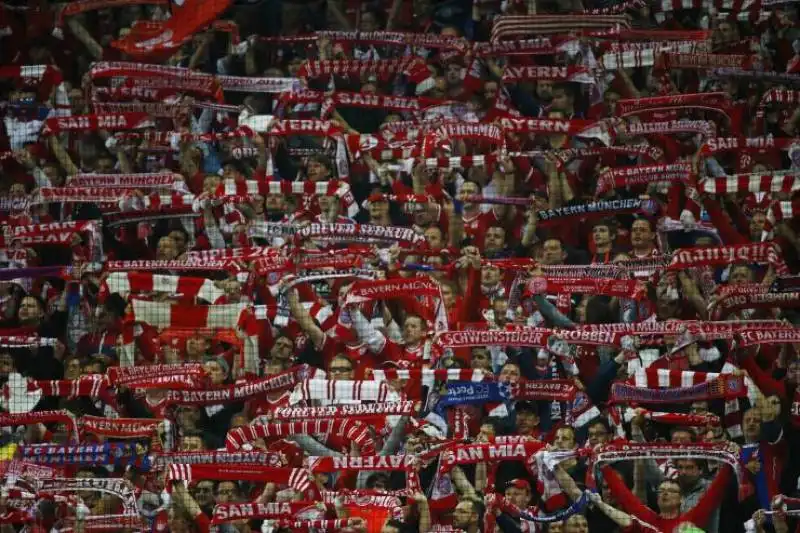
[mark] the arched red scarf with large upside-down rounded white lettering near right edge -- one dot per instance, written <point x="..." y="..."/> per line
<point x="726" y="255"/>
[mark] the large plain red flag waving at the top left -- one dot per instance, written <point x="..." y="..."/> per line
<point x="188" y="17"/>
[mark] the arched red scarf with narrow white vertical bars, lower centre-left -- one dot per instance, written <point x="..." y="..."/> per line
<point x="352" y="430"/>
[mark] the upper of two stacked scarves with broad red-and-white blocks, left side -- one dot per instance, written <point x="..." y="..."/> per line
<point x="125" y="283"/>
